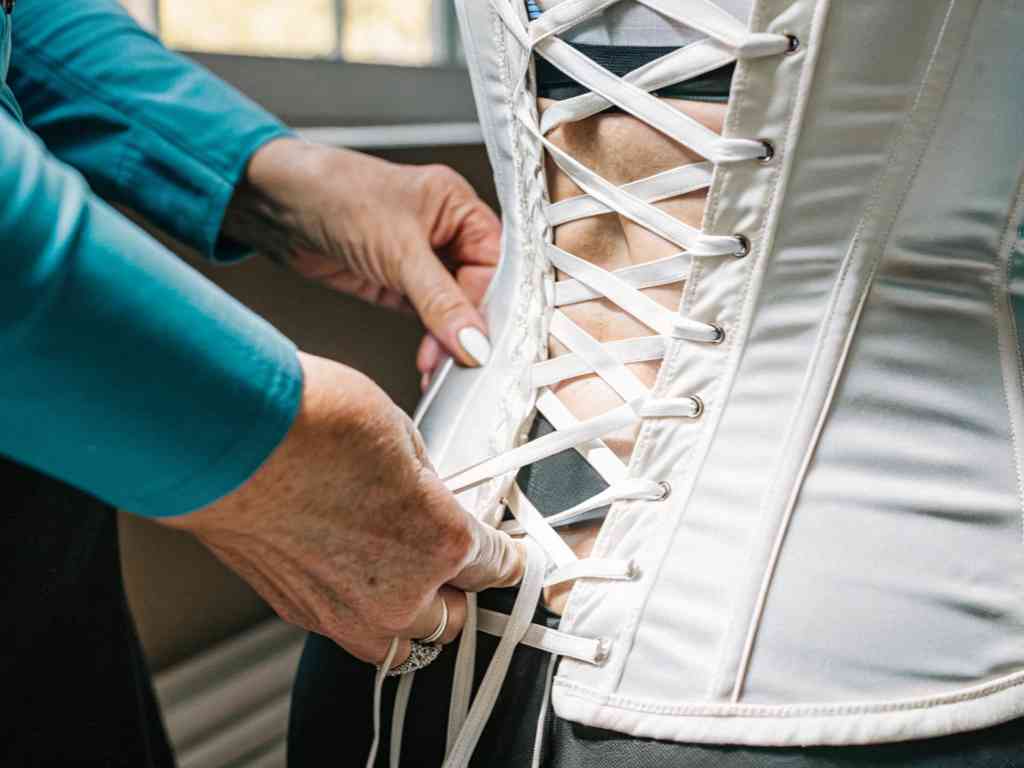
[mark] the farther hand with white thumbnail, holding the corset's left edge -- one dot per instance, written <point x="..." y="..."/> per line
<point x="393" y="235"/>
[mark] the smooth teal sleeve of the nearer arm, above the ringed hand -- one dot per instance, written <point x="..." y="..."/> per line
<point x="125" y="373"/>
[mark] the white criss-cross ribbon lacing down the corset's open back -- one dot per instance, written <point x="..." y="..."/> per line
<point x="551" y="561"/>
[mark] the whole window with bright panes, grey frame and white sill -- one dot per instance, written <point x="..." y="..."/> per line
<point x="318" y="65"/>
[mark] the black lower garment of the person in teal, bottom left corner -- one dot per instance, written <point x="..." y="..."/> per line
<point x="73" y="678"/>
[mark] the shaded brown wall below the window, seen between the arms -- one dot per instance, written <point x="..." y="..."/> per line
<point x="184" y="601"/>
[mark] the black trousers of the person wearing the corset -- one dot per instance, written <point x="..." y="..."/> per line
<point x="332" y="724"/>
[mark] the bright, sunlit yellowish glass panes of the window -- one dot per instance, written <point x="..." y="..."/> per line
<point x="397" y="32"/>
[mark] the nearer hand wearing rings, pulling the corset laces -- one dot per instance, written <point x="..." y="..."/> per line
<point x="347" y="530"/>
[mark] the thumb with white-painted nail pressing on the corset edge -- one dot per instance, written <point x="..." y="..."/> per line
<point x="446" y="310"/>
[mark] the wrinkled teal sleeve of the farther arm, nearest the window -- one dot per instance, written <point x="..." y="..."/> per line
<point x="147" y="127"/>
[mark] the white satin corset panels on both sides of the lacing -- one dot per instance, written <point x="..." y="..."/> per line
<point x="842" y="558"/>
